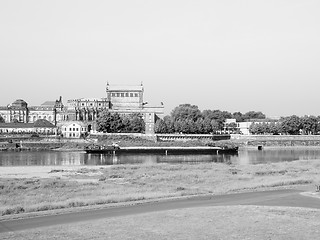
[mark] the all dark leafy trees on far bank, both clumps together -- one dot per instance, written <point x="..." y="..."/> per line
<point x="188" y="119"/>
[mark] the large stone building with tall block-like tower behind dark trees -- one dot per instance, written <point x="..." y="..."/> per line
<point x="119" y="99"/>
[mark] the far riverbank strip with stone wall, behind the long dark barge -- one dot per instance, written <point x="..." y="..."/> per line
<point x="242" y="141"/>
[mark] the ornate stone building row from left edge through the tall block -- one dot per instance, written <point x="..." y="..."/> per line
<point x="84" y="111"/>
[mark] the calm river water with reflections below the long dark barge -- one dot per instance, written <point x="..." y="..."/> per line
<point x="244" y="157"/>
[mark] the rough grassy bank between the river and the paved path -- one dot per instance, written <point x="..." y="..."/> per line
<point x="127" y="183"/>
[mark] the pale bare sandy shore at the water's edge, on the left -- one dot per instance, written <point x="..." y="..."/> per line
<point x="43" y="171"/>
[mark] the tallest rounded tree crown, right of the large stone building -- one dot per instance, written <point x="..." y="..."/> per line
<point x="186" y="111"/>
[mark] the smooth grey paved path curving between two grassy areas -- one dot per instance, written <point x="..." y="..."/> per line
<point x="287" y="197"/>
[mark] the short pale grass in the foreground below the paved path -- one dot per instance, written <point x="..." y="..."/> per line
<point x="230" y="222"/>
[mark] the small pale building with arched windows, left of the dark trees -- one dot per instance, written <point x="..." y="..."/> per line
<point x="73" y="129"/>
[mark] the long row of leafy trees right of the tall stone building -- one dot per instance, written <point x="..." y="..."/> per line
<point x="188" y="119"/>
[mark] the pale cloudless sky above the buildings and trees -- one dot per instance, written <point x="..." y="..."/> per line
<point x="232" y="55"/>
